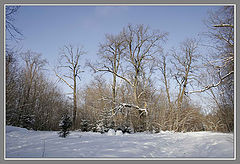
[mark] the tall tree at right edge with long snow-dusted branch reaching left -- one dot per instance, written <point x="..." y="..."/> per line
<point x="220" y="25"/>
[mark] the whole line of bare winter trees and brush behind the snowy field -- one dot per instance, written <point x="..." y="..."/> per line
<point x="149" y="89"/>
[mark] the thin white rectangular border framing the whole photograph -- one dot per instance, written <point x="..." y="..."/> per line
<point x="143" y="159"/>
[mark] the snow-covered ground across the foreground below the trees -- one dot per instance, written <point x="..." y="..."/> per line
<point x="22" y="143"/>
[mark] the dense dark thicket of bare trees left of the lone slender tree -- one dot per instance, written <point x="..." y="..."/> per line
<point x="32" y="100"/>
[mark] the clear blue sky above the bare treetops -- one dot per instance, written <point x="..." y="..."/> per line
<point x="48" y="28"/>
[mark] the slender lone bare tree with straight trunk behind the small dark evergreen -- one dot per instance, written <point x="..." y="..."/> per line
<point x="69" y="64"/>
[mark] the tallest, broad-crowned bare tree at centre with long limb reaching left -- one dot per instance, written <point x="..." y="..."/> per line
<point x="141" y="46"/>
